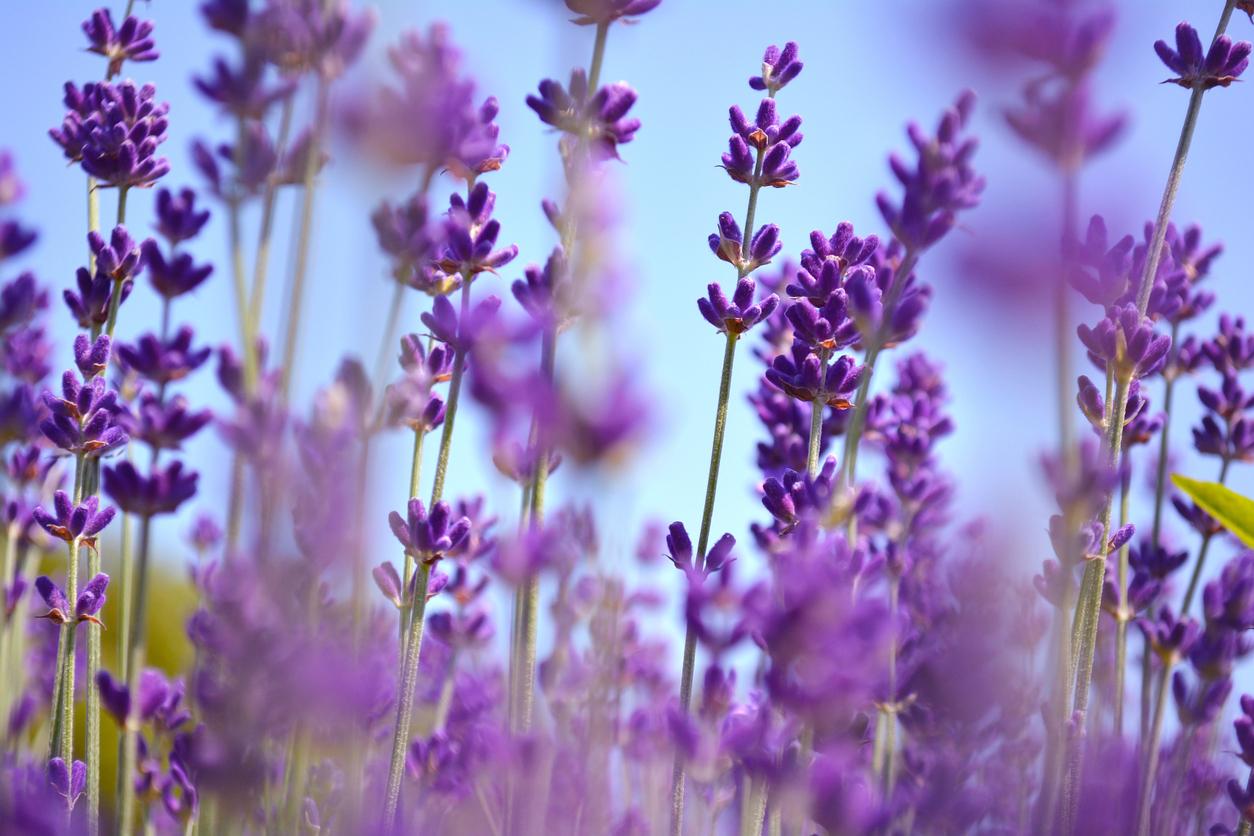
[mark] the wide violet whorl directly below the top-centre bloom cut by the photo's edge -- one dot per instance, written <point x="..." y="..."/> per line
<point x="598" y="118"/>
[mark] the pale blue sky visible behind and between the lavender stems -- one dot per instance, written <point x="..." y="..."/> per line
<point x="871" y="68"/>
